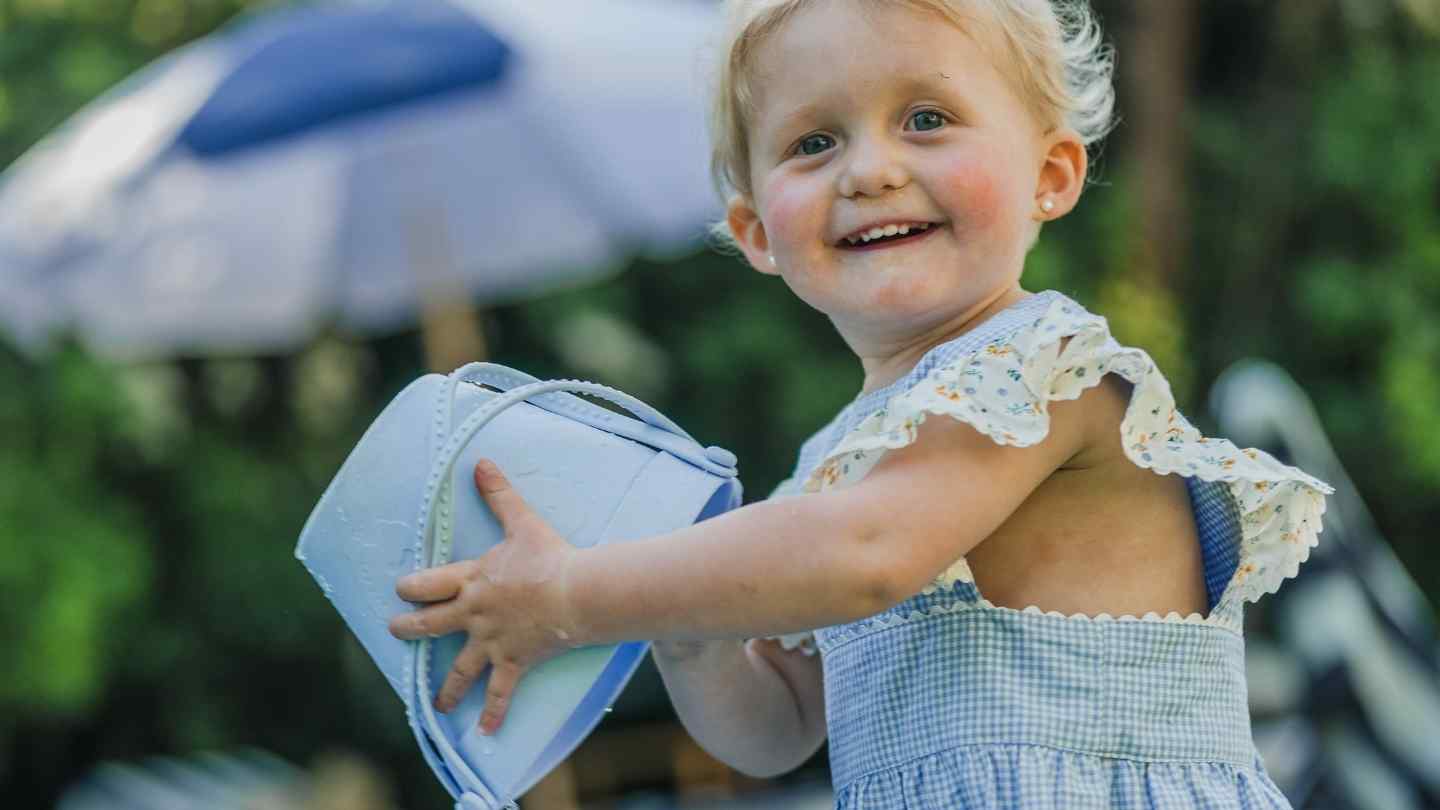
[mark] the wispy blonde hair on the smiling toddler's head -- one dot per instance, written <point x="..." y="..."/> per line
<point x="1065" y="71"/>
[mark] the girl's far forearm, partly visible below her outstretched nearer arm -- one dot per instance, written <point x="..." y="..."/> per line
<point x="754" y="706"/>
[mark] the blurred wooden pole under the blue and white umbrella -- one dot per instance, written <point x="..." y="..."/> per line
<point x="450" y="322"/>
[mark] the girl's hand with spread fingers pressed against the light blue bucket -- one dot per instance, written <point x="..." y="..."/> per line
<point x="512" y="603"/>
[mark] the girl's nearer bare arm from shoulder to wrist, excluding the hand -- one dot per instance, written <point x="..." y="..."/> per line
<point x="820" y="560"/>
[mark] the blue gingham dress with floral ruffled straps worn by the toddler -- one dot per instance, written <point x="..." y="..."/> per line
<point x="948" y="701"/>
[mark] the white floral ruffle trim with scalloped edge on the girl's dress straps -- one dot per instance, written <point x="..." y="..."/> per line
<point x="1004" y="391"/>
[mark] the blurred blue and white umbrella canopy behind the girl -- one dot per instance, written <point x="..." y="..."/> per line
<point x="343" y="164"/>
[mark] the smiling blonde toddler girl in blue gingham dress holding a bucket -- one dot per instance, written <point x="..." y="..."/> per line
<point x="1025" y="571"/>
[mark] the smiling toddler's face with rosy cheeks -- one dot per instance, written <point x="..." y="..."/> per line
<point x="885" y="115"/>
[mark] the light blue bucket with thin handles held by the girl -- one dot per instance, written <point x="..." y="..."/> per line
<point x="405" y="501"/>
